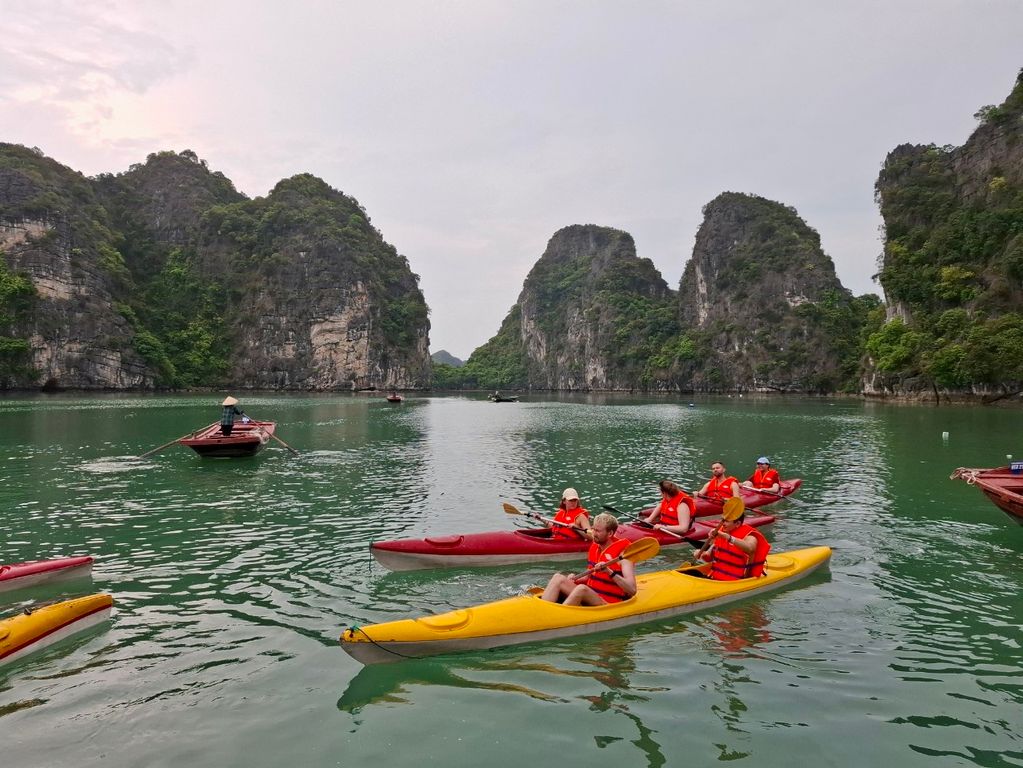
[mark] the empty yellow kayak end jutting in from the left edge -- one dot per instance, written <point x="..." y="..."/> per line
<point x="35" y="629"/>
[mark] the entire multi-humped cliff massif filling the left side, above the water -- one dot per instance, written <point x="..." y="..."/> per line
<point x="165" y="276"/>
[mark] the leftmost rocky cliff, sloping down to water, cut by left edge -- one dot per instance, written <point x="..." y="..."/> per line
<point x="55" y="233"/>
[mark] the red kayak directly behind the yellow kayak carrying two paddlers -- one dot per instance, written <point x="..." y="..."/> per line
<point x="528" y="546"/>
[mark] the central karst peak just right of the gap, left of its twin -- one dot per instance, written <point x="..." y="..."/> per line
<point x="590" y="315"/>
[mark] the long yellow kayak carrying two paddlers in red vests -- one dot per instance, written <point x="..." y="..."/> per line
<point x="528" y="619"/>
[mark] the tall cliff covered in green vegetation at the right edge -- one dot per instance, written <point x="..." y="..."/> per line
<point x="953" y="265"/>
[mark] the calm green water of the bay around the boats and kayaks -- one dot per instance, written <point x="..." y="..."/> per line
<point x="233" y="580"/>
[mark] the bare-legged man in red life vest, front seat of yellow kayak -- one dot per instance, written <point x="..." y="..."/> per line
<point x="609" y="582"/>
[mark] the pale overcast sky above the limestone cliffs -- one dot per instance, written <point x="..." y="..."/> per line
<point x="473" y="131"/>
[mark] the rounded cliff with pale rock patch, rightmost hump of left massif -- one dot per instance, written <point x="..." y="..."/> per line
<point x="321" y="301"/>
